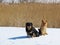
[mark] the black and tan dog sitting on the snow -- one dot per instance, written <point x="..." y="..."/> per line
<point x="31" y="31"/>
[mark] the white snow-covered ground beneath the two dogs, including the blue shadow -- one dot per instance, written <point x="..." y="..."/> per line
<point x="17" y="36"/>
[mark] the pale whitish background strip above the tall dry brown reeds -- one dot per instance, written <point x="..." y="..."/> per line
<point x="42" y="1"/>
